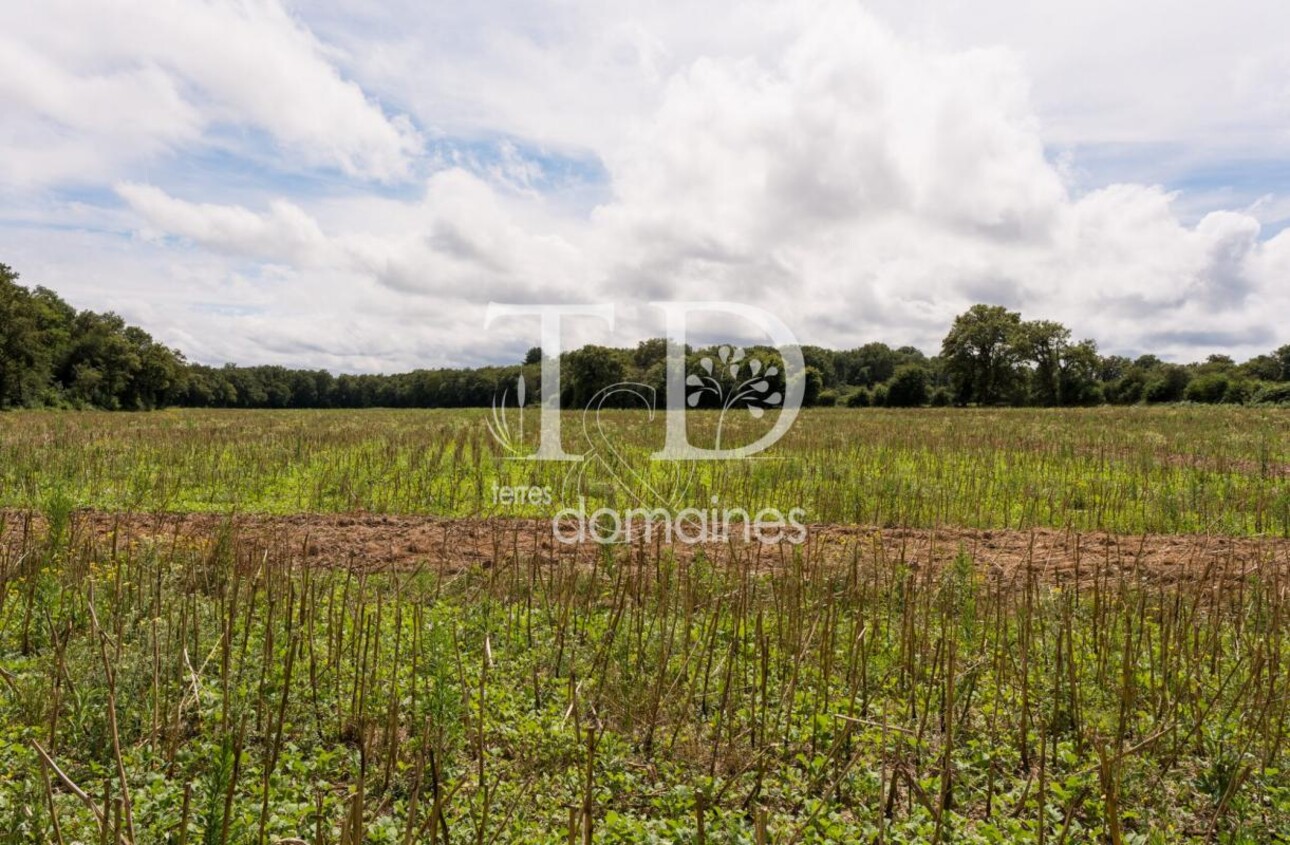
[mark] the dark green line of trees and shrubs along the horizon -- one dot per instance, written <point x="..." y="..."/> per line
<point x="52" y="355"/>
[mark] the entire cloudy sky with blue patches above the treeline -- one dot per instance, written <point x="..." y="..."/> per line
<point x="346" y="184"/>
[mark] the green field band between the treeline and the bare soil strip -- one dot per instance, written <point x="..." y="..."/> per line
<point x="1159" y="470"/>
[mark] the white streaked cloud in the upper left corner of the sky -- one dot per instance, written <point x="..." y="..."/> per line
<point x="90" y="87"/>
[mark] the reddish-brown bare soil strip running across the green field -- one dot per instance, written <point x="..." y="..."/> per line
<point x="376" y="542"/>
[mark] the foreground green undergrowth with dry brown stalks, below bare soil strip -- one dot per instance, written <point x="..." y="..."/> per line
<point x="226" y="692"/>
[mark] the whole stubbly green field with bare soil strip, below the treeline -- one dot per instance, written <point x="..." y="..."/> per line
<point x="228" y="682"/>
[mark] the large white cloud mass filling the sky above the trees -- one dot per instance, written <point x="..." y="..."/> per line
<point x="861" y="184"/>
